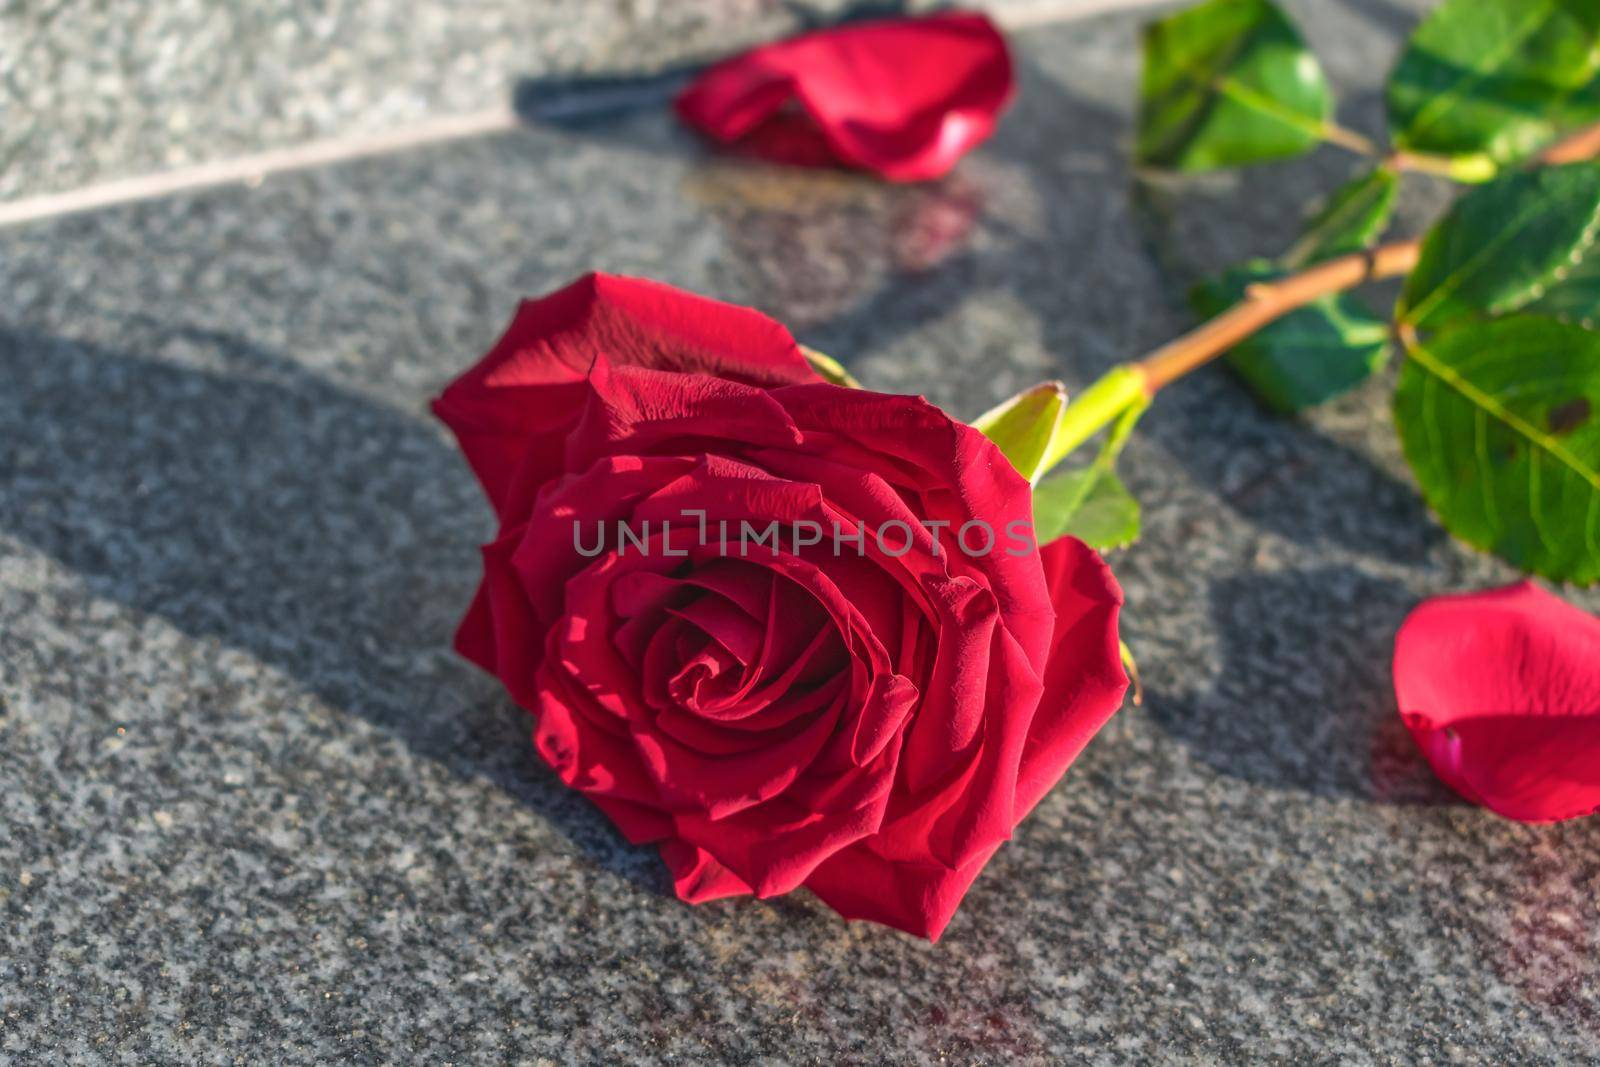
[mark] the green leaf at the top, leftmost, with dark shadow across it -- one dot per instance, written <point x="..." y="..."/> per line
<point x="1228" y="82"/>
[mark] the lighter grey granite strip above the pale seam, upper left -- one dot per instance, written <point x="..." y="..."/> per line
<point x="95" y="90"/>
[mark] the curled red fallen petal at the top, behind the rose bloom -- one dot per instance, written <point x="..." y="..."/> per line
<point x="905" y="98"/>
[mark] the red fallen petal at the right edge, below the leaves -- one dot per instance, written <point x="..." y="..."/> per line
<point x="1502" y="692"/>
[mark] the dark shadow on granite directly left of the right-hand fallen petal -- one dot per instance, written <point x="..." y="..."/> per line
<point x="1279" y="713"/>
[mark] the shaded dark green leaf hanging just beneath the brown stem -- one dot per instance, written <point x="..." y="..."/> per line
<point x="1306" y="358"/>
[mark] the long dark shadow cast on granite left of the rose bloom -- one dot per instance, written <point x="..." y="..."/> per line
<point x="201" y="466"/>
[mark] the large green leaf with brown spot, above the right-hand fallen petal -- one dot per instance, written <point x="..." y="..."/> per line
<point x="1502" y="425"/>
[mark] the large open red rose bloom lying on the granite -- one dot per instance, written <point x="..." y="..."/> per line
<point x="863" y="719"/>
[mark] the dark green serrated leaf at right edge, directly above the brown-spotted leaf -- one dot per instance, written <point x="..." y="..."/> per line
<point x="1505" y="246"/>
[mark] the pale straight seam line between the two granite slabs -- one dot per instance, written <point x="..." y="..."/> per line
<point x="258" y="166"/>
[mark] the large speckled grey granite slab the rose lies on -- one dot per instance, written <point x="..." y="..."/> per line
<point x="252" y="809"/>
